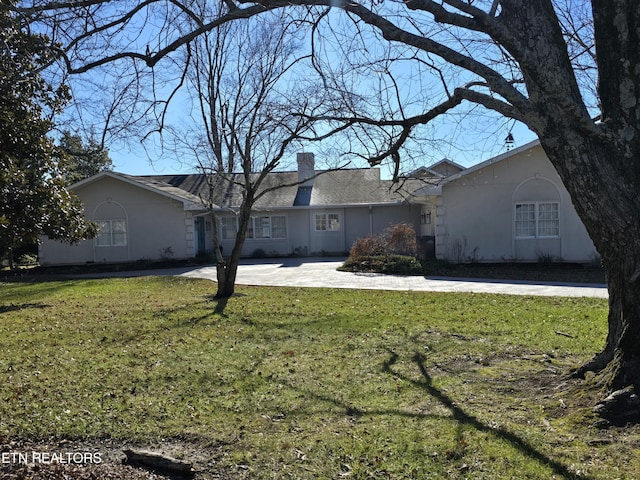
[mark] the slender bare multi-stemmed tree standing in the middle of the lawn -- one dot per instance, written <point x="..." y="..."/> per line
<point x="249" y="117"/>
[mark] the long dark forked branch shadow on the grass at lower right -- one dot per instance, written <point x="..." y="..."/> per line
<point x="464" y="418"/>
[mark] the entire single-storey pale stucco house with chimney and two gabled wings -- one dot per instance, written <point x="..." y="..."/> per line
<point x="510" y="208"/>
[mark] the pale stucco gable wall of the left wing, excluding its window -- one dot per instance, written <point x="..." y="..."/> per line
<point x="156" y="226"/>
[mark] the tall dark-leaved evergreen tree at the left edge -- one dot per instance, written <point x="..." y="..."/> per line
<point x="33" y="198"/>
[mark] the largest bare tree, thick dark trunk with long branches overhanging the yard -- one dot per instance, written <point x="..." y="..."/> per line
<point x="532" y="61"/>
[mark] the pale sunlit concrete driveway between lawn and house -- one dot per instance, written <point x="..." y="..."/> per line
<point x="321" y="272"/>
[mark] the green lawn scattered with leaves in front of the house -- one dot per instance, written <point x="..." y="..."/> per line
<point x="311" y="383"/>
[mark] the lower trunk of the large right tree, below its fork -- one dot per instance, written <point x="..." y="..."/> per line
<point x="609" y="206"/>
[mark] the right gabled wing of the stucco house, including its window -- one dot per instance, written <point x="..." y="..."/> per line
<point x="512" y="207"/>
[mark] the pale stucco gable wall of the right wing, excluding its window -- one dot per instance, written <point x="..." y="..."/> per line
<point x="475" y="215"/>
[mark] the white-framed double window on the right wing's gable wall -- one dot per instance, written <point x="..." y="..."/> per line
<point x="538" y="220"/>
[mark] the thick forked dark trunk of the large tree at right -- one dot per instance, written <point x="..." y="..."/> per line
<point x="598" y="162"/>
